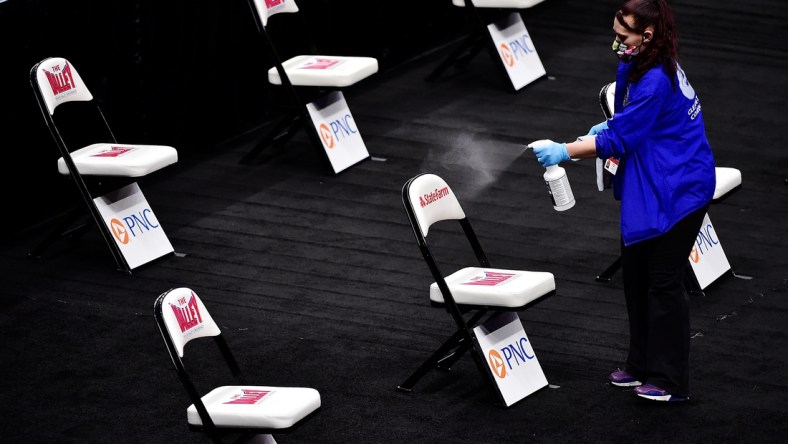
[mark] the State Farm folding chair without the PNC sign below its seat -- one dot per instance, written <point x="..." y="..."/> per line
<point x="473" y="294"/>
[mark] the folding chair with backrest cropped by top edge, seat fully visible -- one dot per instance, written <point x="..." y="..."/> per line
<point x="314" y="84"/>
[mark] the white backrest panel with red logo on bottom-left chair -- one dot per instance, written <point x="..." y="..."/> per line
<point x="186" y="318"/>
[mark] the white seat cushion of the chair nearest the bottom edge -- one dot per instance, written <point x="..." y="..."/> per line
<point x="257" y="406"/>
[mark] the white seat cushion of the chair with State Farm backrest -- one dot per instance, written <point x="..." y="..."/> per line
<point x="495" y="287"/>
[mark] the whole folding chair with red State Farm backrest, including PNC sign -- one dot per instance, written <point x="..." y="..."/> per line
<point x="481" y="299"/>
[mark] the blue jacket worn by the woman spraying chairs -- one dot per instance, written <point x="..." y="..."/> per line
<point x="666" y="165"/>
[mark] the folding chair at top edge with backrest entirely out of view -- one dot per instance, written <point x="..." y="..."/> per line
<point x="498" y="26"/>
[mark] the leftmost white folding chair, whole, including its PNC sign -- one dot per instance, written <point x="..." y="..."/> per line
<point x="105" y="171"/>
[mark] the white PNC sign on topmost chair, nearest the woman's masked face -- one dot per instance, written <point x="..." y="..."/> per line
<point x="516" y="50"/>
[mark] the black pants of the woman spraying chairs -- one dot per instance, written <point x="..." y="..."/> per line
<point x="658" y="305"/>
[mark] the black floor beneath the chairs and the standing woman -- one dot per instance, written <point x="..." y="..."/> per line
<point x="316" y="279"/>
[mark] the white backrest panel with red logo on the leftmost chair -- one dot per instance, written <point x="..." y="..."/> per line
<point x="59" y="83"/>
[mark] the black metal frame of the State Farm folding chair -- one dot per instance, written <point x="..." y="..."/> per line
<point x="463" y="339"/>
